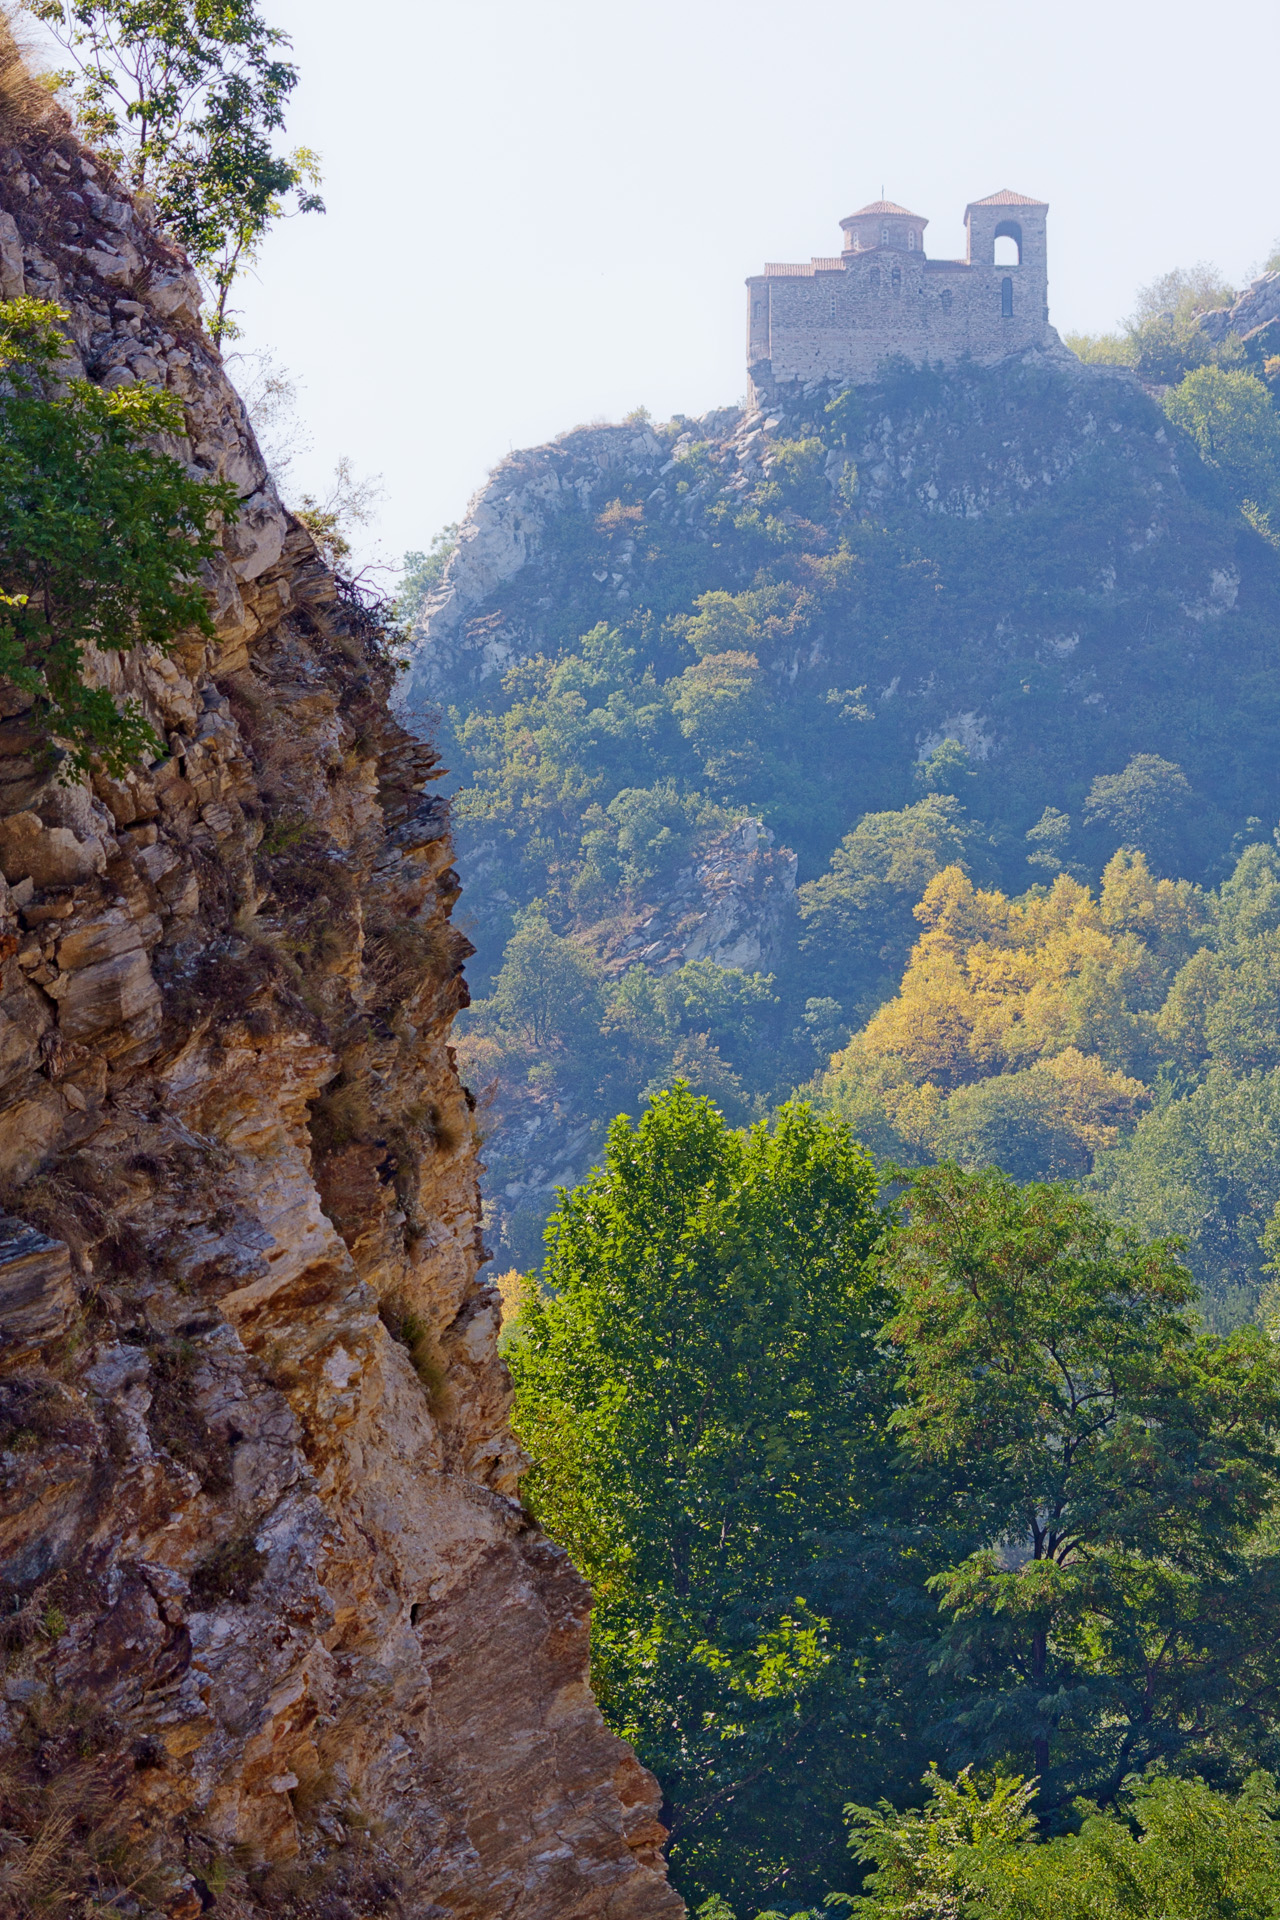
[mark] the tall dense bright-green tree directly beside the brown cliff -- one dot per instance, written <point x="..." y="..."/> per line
<point x="698" y="1389"/>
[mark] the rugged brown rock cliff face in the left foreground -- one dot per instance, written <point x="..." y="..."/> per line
<point x="277" y="1629"/>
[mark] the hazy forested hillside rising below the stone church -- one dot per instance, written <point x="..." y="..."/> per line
<point x="723" y="700"/>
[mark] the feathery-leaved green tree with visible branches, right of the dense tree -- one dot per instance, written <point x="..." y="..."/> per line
<point x="1118" y="1464"/>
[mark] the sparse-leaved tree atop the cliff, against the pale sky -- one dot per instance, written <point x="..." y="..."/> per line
<point x="183" y="97"/>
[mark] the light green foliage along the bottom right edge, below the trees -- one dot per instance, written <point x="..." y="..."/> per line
<point x="1172" y="1848"/>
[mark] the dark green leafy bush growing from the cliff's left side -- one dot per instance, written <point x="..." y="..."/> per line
<point x="101" y="537"/>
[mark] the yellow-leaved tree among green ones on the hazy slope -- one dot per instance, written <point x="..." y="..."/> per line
<point x="1024" y="1032"/>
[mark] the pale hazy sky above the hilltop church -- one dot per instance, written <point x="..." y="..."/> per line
<point x="544" y="214"/>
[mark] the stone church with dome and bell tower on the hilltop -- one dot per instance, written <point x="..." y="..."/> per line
<point x="880" y="299"/>
